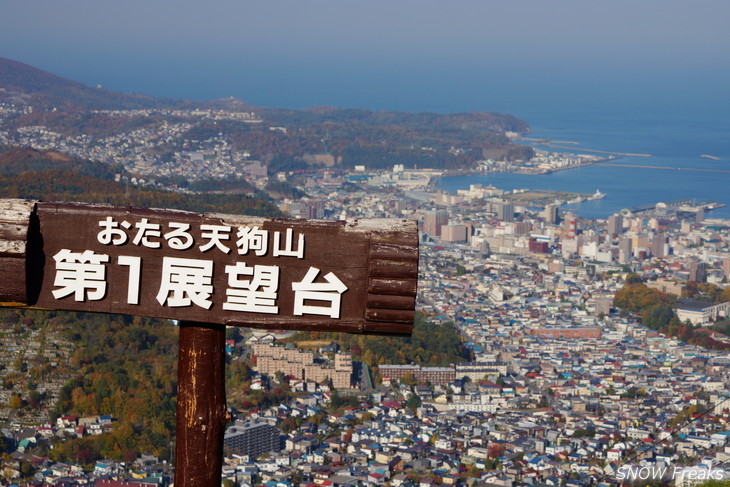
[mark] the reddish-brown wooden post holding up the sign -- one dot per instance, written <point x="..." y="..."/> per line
<point x="201" y="405"/>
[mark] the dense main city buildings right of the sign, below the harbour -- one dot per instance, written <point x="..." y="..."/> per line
<point x="563" y="390"/>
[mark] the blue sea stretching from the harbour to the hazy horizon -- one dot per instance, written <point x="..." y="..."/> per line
<point x="676" y="117"/>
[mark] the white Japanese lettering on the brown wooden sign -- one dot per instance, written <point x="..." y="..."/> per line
<point x="81" y="275"/>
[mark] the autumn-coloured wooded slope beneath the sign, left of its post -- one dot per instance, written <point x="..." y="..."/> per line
<point x="121" y="366"/>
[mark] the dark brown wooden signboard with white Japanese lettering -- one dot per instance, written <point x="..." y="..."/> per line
<point x="355" y="276"/>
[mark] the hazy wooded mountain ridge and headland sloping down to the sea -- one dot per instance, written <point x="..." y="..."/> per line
<point x="284" y="139"/>
